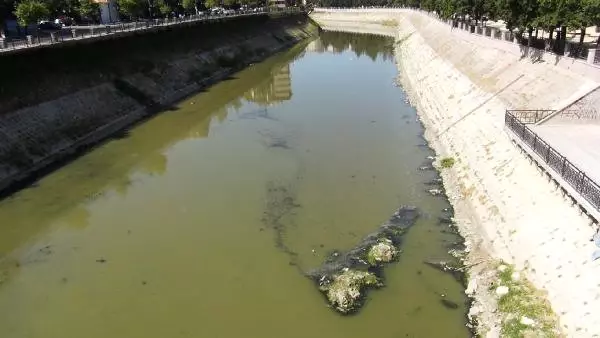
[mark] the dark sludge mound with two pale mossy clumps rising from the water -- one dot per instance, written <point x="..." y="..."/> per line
<point x="345" y="277"/>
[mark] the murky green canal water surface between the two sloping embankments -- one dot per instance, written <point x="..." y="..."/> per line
<point x="202" y="221"/>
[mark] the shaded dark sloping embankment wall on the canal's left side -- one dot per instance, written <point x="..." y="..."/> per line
<point x="57" y="101"/>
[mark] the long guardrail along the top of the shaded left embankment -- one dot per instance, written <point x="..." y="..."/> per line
<point x="80" y="33"/>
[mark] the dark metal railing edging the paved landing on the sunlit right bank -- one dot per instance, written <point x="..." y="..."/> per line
<point x="577" y="179"/>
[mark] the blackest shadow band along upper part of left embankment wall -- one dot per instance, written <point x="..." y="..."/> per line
<point x="41" y="75"/>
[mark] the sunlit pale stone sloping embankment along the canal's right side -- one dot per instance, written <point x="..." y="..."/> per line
<point x="505" y="207"/>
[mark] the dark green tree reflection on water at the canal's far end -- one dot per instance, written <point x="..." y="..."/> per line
<point x="360" y="44"/>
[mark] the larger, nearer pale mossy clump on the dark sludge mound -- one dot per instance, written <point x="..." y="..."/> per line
<point x="345" y="290"/>
